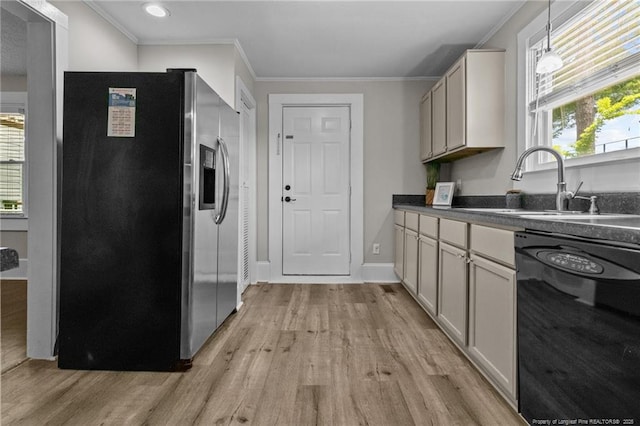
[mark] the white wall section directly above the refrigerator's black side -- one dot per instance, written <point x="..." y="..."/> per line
<point x="94" y="44"/>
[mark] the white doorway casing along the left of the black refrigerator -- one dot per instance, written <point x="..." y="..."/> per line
<point x="48" y="58"/>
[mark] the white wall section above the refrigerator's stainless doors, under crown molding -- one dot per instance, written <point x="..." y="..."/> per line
<point x="215" y="63"/>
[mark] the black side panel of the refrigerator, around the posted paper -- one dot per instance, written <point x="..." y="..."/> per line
<point x="121" y="224"/>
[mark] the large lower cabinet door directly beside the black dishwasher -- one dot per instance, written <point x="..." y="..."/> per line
<point x="492" y="320"/>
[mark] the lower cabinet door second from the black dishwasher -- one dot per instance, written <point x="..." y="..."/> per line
<point x="452" y="292"/>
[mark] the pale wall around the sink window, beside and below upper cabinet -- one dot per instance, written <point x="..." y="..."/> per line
<point x="489" y="173"/>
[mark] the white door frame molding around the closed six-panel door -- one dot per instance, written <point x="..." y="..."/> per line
<point x="356" y="222"/>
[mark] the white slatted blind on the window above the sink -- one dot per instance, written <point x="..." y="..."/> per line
<point x="599" y="46"/>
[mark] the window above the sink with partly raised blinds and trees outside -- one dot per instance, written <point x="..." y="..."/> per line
<point x="590" y="108"/>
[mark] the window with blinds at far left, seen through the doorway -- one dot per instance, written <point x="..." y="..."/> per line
<point x="12" y="161"/>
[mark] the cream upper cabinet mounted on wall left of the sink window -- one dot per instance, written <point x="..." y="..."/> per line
<point x="468" y="112"/>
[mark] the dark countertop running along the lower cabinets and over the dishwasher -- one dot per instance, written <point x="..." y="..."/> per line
<point x="630" y="233"/>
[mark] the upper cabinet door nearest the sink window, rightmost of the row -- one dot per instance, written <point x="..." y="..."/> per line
<point x="456" y="105"/>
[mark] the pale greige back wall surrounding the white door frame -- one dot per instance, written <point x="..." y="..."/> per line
<point x="391" y="151"/>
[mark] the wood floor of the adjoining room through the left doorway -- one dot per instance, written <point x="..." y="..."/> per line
<point x="13" y="317"/>
